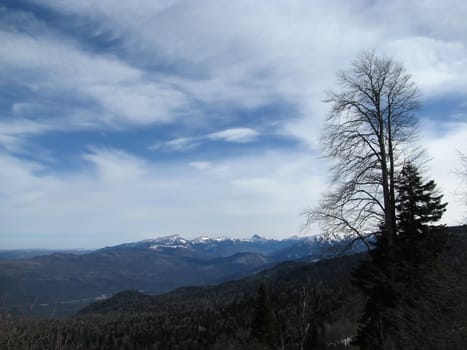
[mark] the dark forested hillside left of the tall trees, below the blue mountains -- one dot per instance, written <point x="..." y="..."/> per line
<point x="303" y="302"/>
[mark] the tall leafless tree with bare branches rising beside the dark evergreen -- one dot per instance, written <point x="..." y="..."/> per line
<point x="366" y="137"/>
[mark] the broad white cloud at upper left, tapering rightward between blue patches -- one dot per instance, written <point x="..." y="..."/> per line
<point x="106" y="91"/>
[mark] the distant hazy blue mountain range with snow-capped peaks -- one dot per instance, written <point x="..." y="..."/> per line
<point x="65" y="282"/>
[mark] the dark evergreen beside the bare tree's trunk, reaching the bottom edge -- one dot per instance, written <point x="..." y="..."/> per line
<point x="396" y="282"/>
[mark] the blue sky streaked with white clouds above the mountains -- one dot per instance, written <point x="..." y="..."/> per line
<point x="126" y="120"/>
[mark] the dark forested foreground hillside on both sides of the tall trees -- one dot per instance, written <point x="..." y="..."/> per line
<point x="295" y="305"/>
